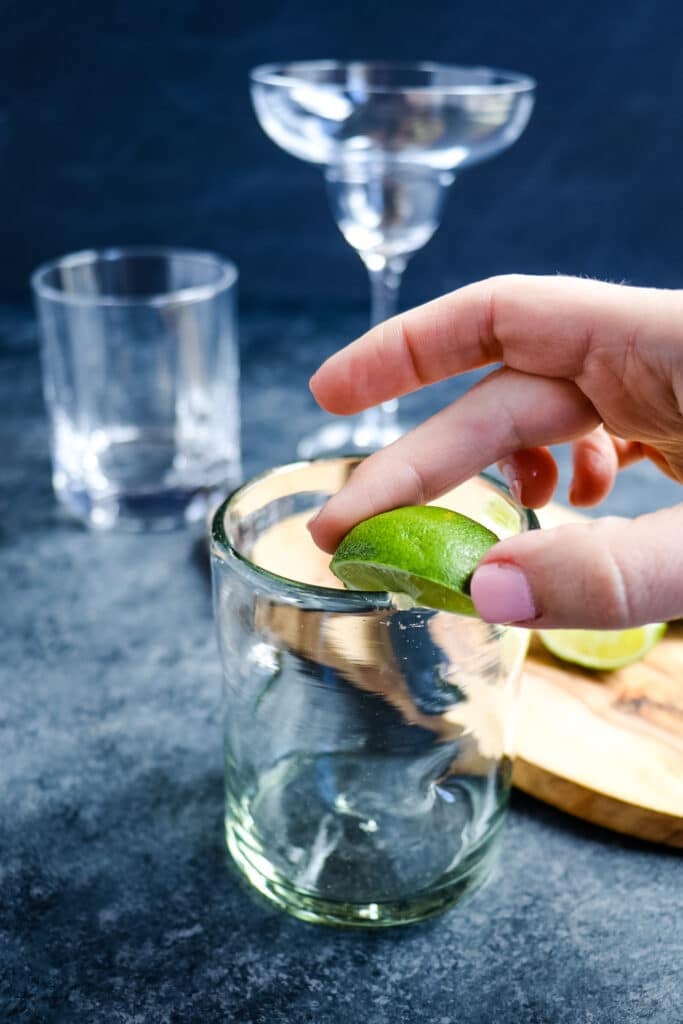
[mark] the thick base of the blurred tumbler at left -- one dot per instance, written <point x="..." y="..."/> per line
<point x="159" y="511"/>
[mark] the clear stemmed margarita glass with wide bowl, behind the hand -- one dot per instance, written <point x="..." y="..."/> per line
<point x="391" y="138"/>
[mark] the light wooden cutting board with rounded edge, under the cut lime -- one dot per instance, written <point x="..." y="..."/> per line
<point x="607" y="747"/>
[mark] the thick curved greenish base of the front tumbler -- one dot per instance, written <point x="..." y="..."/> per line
<point x="468" y="876"/>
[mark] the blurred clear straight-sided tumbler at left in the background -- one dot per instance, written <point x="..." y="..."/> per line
<point x="141" y="371"/>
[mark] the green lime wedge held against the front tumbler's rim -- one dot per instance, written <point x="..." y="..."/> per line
<point x="424" y="551"/>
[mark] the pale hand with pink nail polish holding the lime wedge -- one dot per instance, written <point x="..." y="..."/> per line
<point x="596" y="365"/>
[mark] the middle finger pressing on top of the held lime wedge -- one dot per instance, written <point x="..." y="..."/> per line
<point x="503" y="414"/>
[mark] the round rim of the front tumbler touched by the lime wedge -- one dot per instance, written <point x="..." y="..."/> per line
<point x="353" y="601"/>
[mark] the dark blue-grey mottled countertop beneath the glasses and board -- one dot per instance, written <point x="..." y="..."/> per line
<point x="116" y="903"/>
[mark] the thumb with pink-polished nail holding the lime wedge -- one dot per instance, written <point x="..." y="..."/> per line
<point x="610" y="574"/>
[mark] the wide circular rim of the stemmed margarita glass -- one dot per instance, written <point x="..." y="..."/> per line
<point x="278" y="74"/>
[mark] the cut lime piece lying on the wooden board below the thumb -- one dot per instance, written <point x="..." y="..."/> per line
<point x="603" y="650"/>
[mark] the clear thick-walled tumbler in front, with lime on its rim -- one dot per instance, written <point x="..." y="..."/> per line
<point x="367" y="746"/>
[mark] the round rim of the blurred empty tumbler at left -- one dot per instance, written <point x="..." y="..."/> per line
<point x="227" y="280"/>
